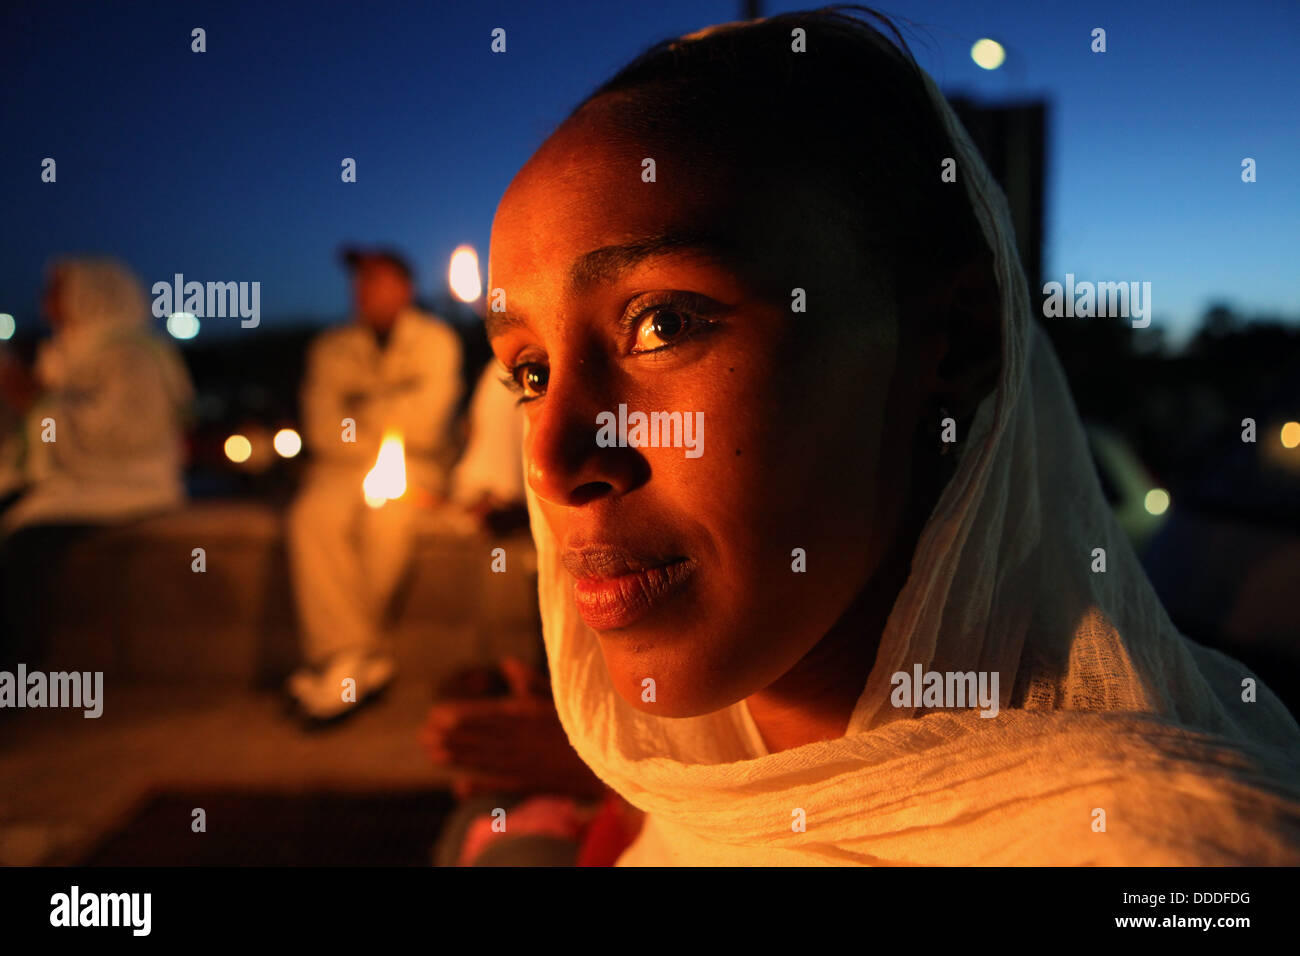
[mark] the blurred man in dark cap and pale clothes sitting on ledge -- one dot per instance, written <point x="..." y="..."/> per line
<point x="395" y="370"/>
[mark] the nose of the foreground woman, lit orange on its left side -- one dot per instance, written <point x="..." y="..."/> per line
<point x="562" y="461"/>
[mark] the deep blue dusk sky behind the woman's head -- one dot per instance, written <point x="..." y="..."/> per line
<point x="226" y="166"/>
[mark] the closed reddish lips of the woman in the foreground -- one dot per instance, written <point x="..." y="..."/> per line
<point x="617" y="589"/>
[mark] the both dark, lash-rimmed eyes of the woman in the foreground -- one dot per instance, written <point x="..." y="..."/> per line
<point x="656" y="322"/>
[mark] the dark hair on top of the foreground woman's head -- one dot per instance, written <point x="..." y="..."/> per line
<point x="852" y="111"/>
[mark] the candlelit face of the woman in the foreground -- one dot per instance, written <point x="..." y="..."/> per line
<point x="714" y="569"/>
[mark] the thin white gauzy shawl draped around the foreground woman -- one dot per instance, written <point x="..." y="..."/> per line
<point x="1119" y="742"/>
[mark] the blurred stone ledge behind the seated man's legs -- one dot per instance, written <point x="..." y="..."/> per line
<point x="131" y="605"/>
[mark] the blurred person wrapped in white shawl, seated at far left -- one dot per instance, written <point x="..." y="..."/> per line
<point x="103" y="440"/>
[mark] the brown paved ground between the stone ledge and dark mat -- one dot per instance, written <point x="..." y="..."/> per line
<point x="66" y="781"/>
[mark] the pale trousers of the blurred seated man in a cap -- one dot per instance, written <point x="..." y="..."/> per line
<point x="346" y="561"/>
